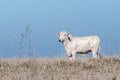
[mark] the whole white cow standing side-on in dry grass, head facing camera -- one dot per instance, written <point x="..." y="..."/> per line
<point x="82" y="45"/>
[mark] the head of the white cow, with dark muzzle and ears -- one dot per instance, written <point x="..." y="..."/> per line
<point x="64" y="36"/>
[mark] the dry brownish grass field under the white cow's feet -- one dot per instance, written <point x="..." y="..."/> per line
<point x="60" y="69"/>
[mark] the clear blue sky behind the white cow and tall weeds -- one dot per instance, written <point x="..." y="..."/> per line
<point x="47" y="17"/>
